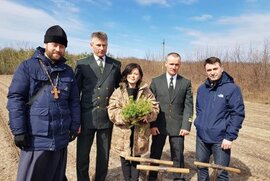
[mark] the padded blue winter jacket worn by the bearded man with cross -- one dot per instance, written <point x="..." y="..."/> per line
<point x="47" y="121"/>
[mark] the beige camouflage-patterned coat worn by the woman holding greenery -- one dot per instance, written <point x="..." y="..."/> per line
<point x="121" y="131"/>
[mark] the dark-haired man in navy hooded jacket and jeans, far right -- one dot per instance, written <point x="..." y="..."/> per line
<point x="220" y="113"/>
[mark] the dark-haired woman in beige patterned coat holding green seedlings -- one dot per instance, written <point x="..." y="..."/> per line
<point x="131" y="141"/>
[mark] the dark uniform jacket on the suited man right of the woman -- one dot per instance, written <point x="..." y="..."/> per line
<point x="175" y="114"/>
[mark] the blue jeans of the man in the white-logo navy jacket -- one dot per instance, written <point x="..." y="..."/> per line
<point x="221" y="157"/>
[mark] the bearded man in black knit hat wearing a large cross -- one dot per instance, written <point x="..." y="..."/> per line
<point x="44" y="110"/>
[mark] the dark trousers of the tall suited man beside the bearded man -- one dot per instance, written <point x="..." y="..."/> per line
<point x="84" y="144"/>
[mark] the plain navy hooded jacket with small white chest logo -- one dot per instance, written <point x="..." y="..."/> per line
<point x="220" y="110"/>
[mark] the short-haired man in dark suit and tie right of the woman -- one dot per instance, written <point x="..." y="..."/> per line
<point x="174" y="94"/>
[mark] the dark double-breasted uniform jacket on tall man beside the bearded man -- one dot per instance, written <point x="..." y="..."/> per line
<point x="96" y="89"/>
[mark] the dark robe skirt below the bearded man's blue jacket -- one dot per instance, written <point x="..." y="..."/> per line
<point x="42" y="165"/>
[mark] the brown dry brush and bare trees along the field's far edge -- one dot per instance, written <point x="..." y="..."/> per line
<point x="251" y="72"/>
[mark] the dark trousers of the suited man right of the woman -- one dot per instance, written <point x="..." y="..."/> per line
<point x="177" y="153"/>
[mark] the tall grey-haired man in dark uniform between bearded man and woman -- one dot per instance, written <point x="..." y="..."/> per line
<point x="97" y="77"/>
